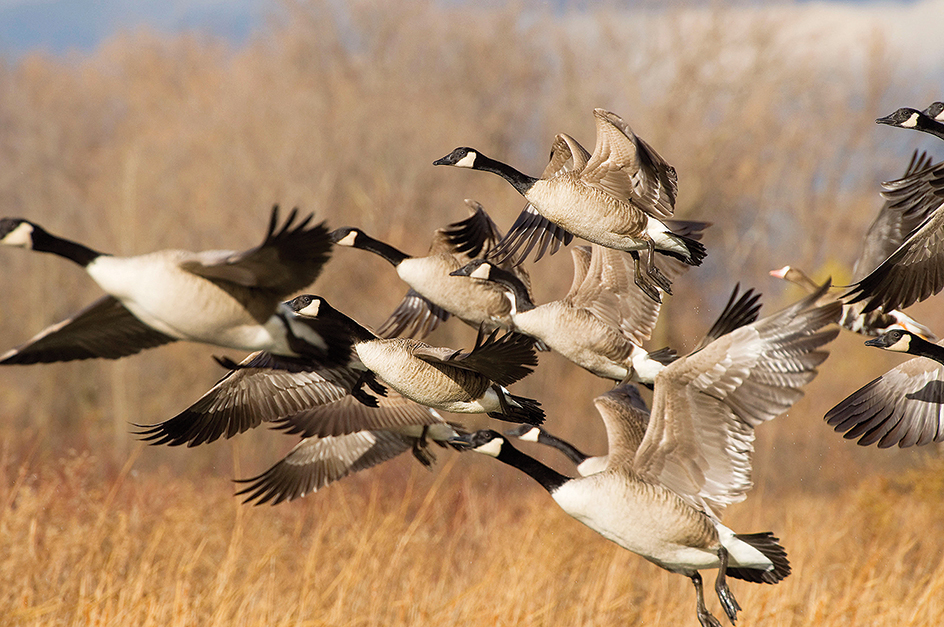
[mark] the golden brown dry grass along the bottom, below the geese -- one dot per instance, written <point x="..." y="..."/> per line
<point x="470" y="543"/>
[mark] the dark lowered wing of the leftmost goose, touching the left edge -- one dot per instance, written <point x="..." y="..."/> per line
<point x="104" y="329"/>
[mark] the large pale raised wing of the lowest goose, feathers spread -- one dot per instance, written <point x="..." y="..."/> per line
<point x="706" y="405"/>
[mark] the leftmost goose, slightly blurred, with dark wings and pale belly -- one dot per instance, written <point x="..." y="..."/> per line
<point x="223" y="298"/>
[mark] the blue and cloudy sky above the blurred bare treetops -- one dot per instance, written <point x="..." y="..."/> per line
<point x="914" y="27"/>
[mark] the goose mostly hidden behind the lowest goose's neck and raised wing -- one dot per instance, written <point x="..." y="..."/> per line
<point x="621" y="399"/>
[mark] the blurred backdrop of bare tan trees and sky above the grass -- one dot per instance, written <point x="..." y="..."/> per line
<point x="133" y="127"/>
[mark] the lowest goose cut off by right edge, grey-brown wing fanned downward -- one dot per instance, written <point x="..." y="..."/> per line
<point x="904" y="405"/>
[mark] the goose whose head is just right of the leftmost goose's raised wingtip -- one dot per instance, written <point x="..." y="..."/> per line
<point x="434" y="295"/>
